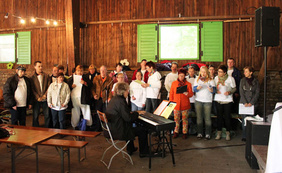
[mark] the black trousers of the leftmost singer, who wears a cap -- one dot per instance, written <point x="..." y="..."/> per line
<point x="18" y="116"/>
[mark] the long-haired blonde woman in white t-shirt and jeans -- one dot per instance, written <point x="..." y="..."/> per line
<point x="204" y="87"/>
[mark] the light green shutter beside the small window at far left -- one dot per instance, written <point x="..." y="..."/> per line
<point x="23" y="47"/>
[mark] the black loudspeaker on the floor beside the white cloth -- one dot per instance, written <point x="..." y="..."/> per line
<point x="257" y="133"/>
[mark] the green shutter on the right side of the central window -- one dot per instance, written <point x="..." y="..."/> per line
<point x="212" y="41"/>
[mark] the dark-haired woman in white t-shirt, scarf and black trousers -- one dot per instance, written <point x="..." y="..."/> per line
<point x="226" y="86"/>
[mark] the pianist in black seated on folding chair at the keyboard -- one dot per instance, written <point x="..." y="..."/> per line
<point x="120" y="121"/>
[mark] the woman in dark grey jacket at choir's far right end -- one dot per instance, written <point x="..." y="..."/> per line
<point x="249" y="92"/>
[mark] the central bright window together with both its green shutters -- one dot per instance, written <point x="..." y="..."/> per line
<point x="180" y="42"/>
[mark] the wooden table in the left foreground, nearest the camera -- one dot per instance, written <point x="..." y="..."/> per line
<point x="25" y="139"/>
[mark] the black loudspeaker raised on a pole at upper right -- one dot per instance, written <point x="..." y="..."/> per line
<point x="267" y="26"/>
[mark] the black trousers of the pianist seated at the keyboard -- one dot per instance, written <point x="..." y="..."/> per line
<point x="142" y="134"/>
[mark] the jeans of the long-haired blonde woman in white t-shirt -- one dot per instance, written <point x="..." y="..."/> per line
<point x="203" y="111"/>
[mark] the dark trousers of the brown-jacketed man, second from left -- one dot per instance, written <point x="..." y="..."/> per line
<point x="36" y="111"/>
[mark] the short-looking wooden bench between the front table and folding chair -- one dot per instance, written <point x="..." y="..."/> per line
<point x="63" y="147"/>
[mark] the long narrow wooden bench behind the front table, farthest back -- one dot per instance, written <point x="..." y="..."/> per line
<point x="77" y="135"/>
